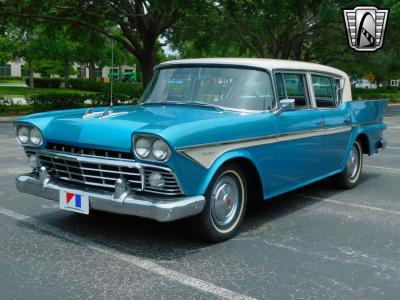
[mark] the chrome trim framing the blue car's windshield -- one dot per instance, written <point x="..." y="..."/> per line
<point x="217" y="65"/>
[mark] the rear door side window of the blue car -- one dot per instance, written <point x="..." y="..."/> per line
<point x="325" y="90"/>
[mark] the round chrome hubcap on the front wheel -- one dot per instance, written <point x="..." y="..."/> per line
<point x="225" y="200"/>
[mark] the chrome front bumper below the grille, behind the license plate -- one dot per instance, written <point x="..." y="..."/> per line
<point x="152" y="207"/>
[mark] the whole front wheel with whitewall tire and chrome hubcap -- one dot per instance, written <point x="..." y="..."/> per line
<point x="226" y="200"/>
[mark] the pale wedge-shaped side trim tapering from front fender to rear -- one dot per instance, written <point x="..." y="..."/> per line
<point x="206" y="154"/>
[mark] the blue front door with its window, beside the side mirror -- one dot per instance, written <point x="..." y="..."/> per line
<point x="300" y="134"/>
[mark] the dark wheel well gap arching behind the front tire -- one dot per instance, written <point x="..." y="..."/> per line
<point x="254" y="185"/>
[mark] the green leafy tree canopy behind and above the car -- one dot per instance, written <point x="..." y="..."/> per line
<point x="310" y="30"/>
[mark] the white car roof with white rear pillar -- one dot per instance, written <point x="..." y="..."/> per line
<point x="270" y="64"/>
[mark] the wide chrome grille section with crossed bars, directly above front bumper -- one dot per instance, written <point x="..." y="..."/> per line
<point x="90" y="173"/>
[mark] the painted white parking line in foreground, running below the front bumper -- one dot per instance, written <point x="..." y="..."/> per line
<point x="137" y="261"/>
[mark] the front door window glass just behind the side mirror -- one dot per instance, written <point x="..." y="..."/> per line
<point x="293" y="86"/>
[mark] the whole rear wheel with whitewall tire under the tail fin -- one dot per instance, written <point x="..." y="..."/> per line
<point x="350" y="176"/>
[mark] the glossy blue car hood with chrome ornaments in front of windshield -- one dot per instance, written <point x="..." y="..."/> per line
<point x="114" y="131"/>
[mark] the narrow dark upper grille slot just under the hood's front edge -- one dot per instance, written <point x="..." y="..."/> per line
<point x="89" y="151"/>
